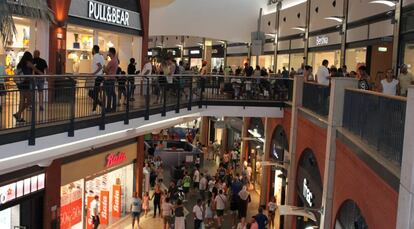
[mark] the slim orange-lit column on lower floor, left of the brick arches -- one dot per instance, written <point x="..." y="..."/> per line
<point x="266" y="169"/>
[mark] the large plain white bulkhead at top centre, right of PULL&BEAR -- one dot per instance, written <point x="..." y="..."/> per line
<point x="231" y="20"/>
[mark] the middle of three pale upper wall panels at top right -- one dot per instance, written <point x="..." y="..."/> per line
<point x="325" y="9"/>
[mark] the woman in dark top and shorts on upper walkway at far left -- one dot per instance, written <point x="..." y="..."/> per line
<point x="25" y="67"/>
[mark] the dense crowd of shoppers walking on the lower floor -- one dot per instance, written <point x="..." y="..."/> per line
<point x="224" y="192"/>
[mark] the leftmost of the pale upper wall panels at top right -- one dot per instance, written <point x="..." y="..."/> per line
<point x="292" y="20"/>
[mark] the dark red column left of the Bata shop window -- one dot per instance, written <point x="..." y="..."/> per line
<point x="52" y="195"/>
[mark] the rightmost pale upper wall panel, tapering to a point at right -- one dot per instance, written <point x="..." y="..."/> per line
<point x="359" y="9"/>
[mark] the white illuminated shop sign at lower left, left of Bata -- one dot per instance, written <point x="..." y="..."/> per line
<point x="21" y="188"/>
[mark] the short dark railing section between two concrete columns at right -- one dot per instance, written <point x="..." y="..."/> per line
<point x="316" y="98"/>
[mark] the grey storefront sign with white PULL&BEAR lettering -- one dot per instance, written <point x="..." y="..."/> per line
<point x="101" y="12"/>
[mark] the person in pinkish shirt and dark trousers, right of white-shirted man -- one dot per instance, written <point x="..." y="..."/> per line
<point x="109" y="83"/>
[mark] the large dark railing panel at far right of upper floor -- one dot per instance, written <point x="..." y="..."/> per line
<point x="377" y="119"/>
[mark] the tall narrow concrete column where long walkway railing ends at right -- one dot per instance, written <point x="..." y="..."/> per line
<point x="296" y="103"/>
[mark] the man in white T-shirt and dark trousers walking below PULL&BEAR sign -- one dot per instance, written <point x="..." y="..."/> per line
<point x="97" y="71"/>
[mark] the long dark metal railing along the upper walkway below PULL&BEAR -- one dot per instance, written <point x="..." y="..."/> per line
<point x="26" y="104"/>
